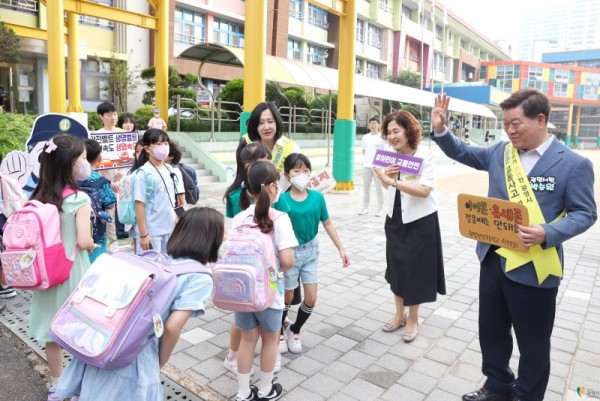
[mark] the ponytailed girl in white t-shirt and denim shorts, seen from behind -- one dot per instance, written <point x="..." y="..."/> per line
<point x="262" y="183"/>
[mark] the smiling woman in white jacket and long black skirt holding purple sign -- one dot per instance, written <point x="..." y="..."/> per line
<point x="415" y="266"/>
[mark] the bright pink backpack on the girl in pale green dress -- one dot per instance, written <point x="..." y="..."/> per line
<point x="35" y="257"/>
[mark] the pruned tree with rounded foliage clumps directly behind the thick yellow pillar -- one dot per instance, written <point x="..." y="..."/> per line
<point x="179" y="84"/>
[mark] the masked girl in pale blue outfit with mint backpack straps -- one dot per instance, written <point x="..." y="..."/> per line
<point x="155" y="215"/>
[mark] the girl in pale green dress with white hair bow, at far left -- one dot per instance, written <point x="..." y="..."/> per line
<point x="67" y="154"/>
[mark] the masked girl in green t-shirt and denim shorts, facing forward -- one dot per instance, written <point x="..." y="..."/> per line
<point x="306" y="208"/>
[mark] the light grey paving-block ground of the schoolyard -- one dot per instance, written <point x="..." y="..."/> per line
<point x="345" y="354"/>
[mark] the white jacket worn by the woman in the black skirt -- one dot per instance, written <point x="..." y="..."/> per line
<point x="413" y="207"/>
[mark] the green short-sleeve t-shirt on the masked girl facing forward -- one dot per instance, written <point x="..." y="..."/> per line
<point x="305" y="215"/>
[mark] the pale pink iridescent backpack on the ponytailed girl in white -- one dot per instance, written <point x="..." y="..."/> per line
<point x="246" y="279"/>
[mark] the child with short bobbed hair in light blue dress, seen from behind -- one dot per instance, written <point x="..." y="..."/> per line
<point x="196" y="237"/>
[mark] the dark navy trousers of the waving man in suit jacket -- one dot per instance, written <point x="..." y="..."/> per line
<point x="530" y="311"/>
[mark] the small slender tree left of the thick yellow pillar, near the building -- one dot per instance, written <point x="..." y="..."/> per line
<point x="120" y="80"/>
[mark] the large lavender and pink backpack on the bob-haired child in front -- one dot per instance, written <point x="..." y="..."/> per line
<point x="109" y="318"/>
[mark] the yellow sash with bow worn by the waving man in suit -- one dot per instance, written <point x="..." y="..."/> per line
<point x="545" y="261"/>
